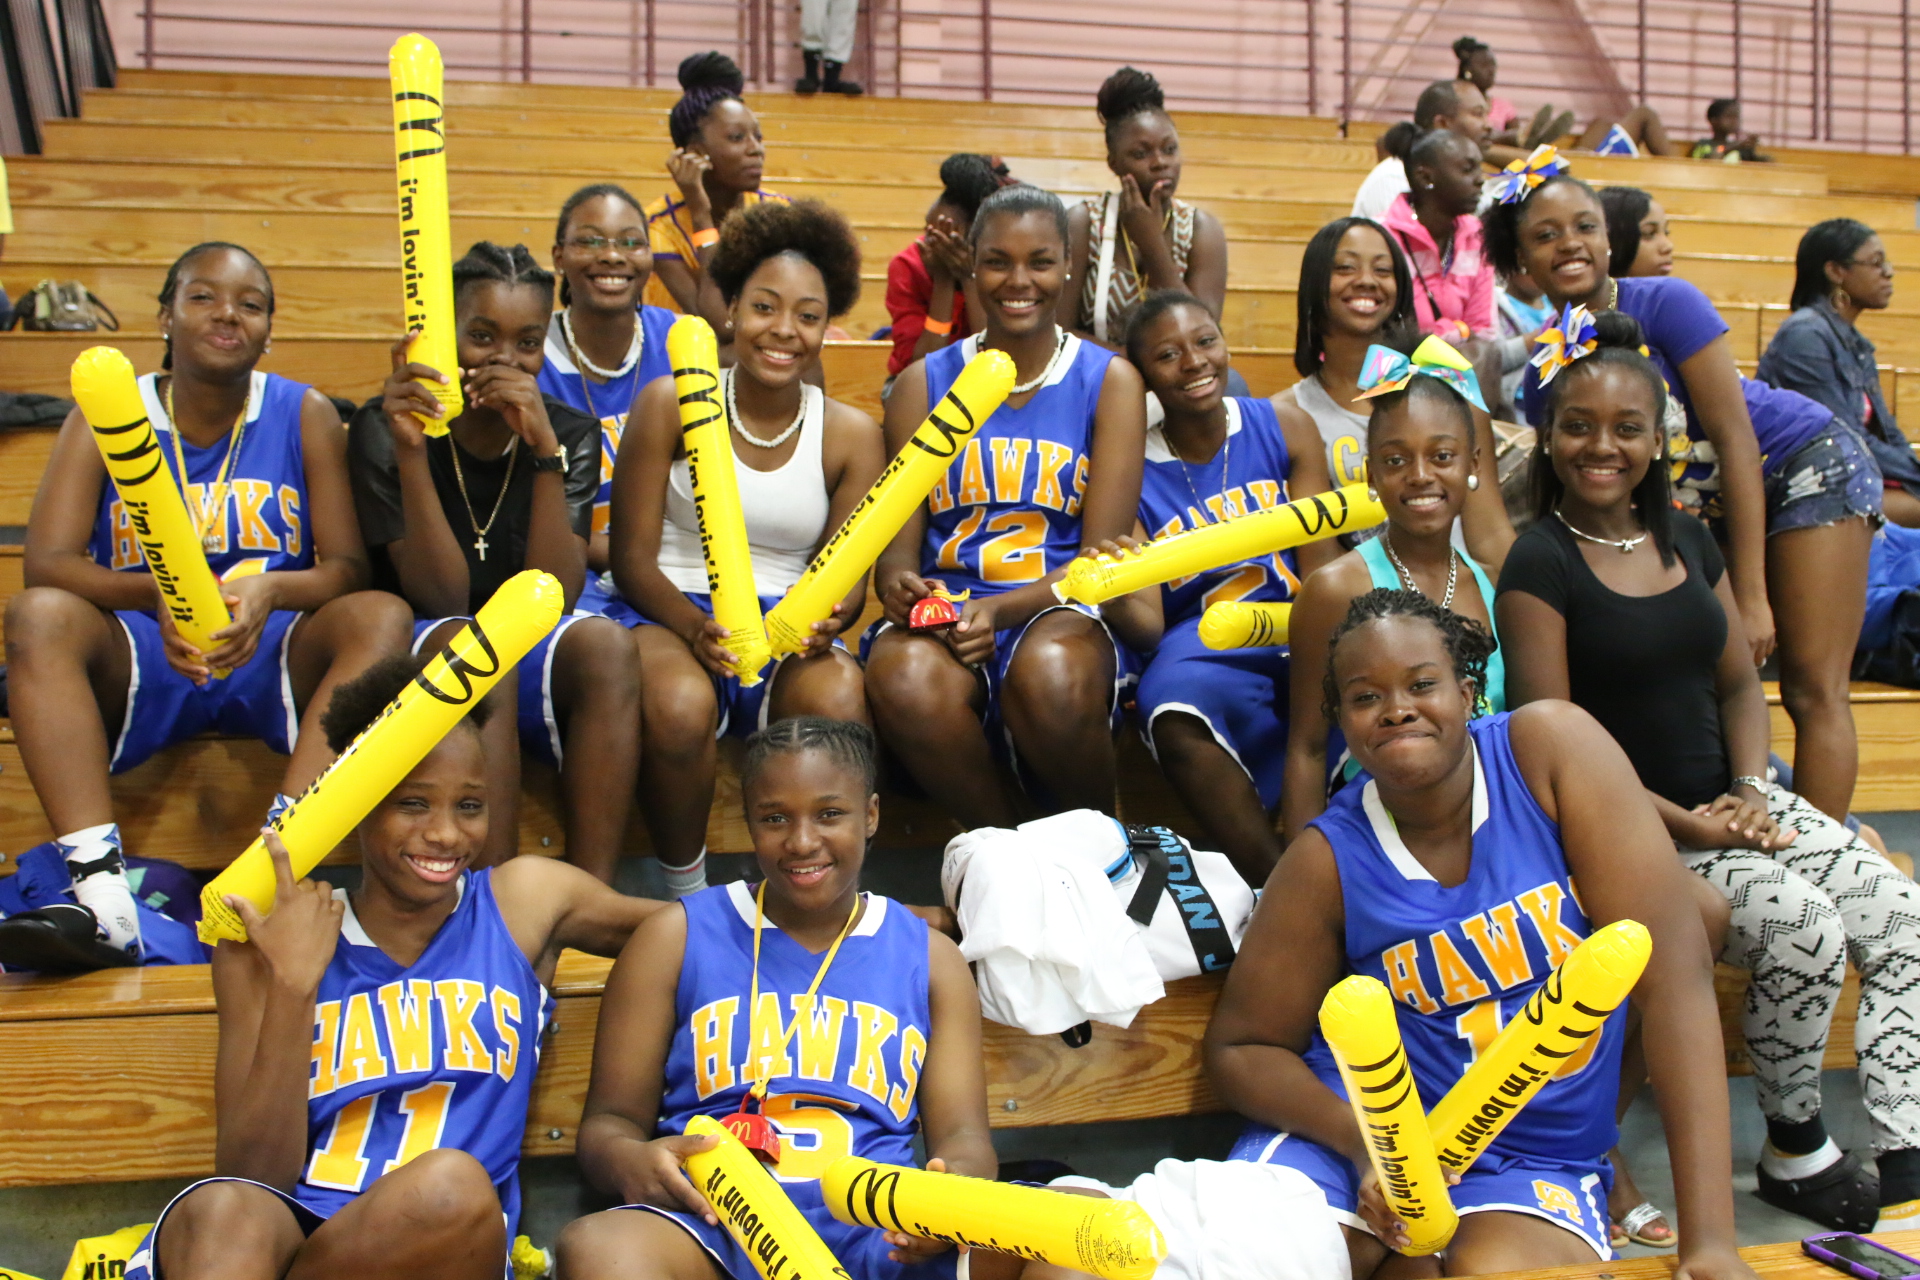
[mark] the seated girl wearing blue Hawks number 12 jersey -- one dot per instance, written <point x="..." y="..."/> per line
<point x="1053" y="471"/>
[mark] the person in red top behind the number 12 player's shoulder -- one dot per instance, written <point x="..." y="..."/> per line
<point x="930" y="285"/>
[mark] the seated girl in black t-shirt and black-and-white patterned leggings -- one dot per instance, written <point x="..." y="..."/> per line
<point x="1623" y="605"/>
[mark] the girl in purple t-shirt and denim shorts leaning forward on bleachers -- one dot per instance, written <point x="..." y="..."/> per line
<point x="1794" y="527"/>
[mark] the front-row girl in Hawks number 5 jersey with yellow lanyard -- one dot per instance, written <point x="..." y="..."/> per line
<point x="836" y="1014"/>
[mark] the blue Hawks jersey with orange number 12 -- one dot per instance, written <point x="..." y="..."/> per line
<point x="1009" y="510"/>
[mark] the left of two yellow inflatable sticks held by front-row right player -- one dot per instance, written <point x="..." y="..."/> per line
<point x="1360" y="1028"/>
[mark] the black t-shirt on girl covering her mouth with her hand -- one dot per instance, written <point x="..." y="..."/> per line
<point x="377" y="494"/>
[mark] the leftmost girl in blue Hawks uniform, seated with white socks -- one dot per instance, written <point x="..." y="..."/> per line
<point x="101" y="678"/>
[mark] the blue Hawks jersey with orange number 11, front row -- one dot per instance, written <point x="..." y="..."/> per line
<point x="435" y="1056"/>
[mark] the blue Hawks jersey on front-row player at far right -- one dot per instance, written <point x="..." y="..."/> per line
<point x="1464" y="960"/>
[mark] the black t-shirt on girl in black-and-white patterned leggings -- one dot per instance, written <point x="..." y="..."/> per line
<point x="1643" y="667"/>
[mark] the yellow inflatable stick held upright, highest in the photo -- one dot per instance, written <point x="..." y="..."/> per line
<point x="425" y="229"/>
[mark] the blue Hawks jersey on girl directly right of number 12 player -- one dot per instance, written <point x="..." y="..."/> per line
<point x="1249" y="475"/>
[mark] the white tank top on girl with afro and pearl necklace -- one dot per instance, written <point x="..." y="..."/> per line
<point x="786" y="511"/>
